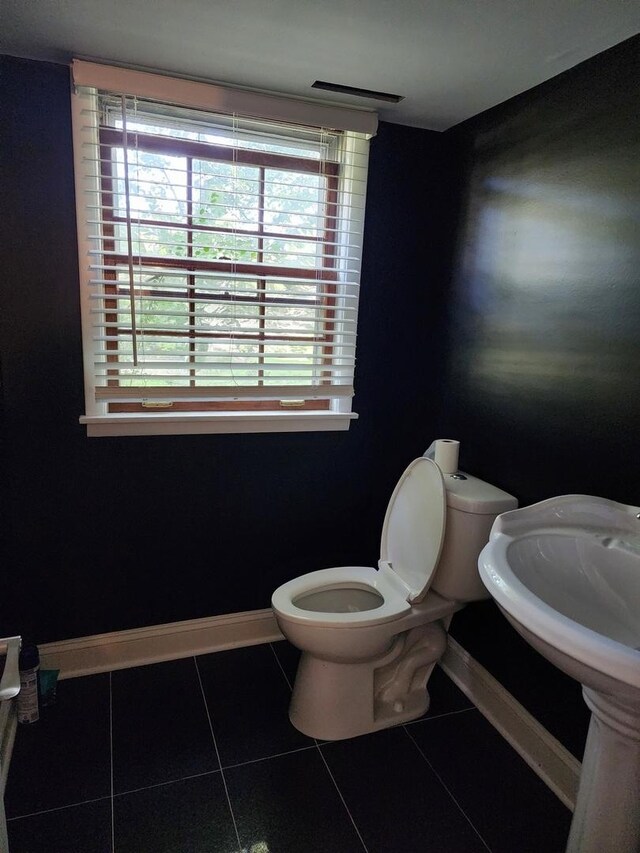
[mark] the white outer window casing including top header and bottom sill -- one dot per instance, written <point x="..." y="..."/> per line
<point x="98" y="421"/>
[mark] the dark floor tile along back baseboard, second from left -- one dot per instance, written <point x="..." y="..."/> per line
<point x="160" y="727"/>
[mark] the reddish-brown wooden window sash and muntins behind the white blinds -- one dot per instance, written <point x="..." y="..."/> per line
<point x="110" y="138"/>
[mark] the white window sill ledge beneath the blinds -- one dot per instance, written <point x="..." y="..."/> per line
<point x="199" y="423"/>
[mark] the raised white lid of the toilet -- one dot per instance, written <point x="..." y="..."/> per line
<point x="413" y="529"/>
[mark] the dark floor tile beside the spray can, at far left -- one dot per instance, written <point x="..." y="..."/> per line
<point x="64" y="758"/>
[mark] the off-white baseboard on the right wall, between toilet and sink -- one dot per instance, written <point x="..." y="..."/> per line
<point x="546" y="756"/>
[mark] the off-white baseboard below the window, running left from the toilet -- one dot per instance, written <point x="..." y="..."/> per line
<point x="139" y="646"/>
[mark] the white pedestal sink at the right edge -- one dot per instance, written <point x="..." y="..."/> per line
<point x="566" y="574"/>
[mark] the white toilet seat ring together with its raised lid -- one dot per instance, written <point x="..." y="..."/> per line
<point x="412" y="536"/>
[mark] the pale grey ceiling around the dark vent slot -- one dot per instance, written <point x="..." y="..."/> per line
<point x="451" y="59"/>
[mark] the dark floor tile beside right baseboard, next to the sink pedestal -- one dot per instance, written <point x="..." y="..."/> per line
<point x="504" y="799"/>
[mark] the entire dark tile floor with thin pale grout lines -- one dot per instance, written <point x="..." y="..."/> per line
<point x="198" y="755"/>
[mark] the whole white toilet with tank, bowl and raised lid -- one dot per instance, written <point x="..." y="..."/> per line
<point x="371" y="637"/>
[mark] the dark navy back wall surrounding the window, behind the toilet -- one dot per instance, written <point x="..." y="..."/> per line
<point x="107" y="534"/>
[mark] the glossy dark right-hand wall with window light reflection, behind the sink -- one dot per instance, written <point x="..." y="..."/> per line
<point x="543" y="377"/>
